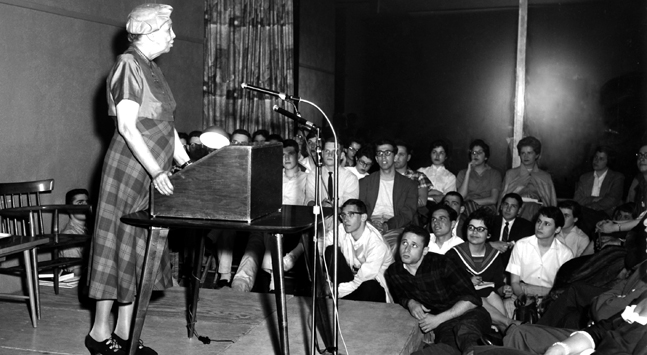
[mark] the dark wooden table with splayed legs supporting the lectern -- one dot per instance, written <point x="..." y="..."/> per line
<point x="290" y="219"/>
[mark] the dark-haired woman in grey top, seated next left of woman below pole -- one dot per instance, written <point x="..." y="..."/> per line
<point x="479" y="184"/>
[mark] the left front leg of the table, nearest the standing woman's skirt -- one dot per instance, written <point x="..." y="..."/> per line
<point x="154" y="249"/>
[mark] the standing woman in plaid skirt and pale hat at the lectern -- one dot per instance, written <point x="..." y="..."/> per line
<point x="141" y="151"/>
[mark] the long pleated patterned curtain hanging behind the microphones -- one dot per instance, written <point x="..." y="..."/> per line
<point x="248" y="41"/>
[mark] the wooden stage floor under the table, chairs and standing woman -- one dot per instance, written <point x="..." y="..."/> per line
<point x="236" y="323"/>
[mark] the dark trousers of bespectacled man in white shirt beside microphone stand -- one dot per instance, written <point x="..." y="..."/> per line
<point x="370" y="290"/>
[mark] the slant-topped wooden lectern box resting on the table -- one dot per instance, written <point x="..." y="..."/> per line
<point x="235" y="183"/>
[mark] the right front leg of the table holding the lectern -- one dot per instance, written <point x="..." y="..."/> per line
<point x="279" y="289"/>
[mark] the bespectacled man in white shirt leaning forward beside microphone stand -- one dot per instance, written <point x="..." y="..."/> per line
<point x="363" y="256"/>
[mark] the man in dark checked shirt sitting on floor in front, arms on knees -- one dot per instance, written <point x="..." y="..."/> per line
<point x="438" y="293"/>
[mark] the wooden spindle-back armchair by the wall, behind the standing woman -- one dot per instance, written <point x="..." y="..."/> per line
<point x="26" y="197"/>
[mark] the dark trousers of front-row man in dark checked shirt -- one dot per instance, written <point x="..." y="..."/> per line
<point x="459" y="334"/>
